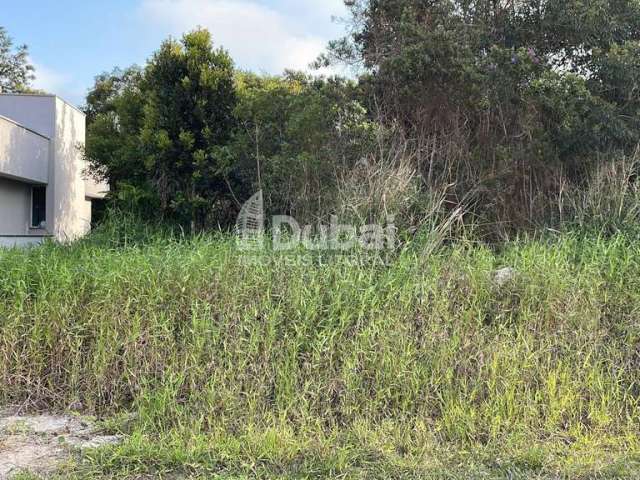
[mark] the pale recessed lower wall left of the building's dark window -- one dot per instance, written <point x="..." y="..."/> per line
<point x="15" y="207"/>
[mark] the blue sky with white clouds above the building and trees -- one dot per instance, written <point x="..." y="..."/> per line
<point x="71" y="41"/>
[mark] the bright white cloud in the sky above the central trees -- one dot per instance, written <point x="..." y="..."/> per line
<point x="260" y="37"/>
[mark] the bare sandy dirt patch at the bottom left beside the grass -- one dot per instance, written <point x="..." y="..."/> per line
<point x="40" y="443"/>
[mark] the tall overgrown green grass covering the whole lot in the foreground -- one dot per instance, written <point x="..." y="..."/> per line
<point x="420" y="368"/>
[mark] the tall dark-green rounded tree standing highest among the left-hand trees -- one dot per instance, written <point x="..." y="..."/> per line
<point x="190" y="97"/>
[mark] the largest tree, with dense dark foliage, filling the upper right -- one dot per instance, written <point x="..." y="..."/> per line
<point x="504" y="95"/>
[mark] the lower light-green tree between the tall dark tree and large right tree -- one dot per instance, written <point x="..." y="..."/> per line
<point x="294" y="135"/>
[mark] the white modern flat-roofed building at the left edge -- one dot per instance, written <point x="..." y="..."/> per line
<point x="44" y="187"/>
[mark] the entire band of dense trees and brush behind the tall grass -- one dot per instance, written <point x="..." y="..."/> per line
<point x="498" y="104"/>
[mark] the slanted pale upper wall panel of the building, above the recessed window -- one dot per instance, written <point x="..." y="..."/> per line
<point x="24" y="155"/>
